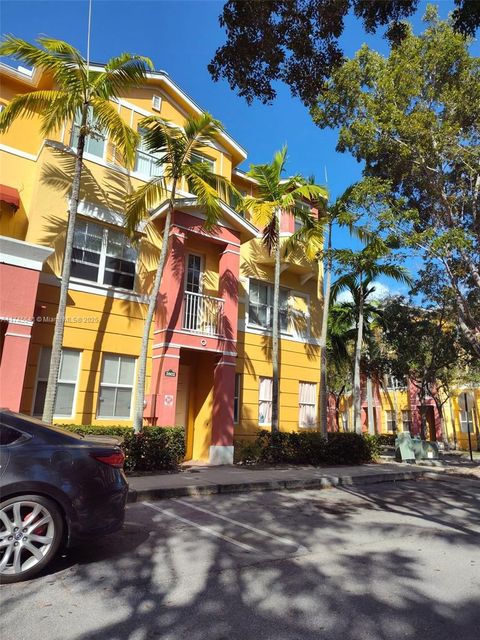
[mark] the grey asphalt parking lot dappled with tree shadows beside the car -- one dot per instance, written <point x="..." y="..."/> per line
<point x="389" y="561"/>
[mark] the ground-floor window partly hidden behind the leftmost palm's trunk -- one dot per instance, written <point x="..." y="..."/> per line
<point x="67" y="382"/>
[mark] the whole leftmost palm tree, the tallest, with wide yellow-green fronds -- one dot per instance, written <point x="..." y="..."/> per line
<point x="86" y="94"/>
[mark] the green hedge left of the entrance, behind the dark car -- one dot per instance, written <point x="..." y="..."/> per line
<point x="154" y="449"/>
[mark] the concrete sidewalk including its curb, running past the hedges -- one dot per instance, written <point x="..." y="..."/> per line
<point x="235" y="479"/>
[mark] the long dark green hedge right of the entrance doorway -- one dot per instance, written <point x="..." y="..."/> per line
<point x="308" y="448"/>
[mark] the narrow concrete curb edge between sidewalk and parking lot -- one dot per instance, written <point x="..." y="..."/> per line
<point x="324" y="482"/>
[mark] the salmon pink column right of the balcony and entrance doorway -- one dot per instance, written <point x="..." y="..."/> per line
<point x="221" y="449"/>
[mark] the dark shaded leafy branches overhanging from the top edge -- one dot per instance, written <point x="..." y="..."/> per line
<point x="297" y="41"/>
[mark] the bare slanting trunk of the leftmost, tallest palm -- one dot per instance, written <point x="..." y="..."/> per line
<point x="52" y="384"/>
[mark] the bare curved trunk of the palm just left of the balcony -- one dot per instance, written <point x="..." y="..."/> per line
<point x="152" y="305"/>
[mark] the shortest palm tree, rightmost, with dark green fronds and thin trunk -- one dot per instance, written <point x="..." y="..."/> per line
<point x="363" y="268"/>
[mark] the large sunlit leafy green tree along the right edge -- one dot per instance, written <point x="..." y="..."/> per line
<point x="413" y="118"/>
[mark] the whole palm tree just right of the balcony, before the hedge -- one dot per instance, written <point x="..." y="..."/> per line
<point x="277" y="196"/>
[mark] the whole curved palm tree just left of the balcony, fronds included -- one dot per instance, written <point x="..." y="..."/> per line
<point x="177" y="151"/>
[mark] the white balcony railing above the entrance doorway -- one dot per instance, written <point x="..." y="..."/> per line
<point x="203" y="314"/>
